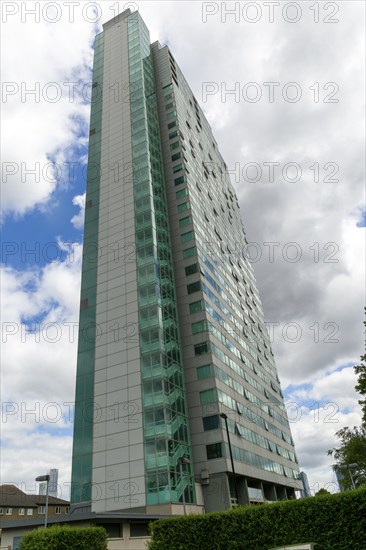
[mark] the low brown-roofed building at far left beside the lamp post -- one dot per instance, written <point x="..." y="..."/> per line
<point x="16" y="505"/>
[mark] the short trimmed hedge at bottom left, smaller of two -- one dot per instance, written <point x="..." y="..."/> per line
<point x="65" y="538"/>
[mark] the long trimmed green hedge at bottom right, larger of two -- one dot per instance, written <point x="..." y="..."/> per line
<point x="334" y="522"/>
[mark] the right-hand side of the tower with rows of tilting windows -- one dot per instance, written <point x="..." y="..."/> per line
<point x="228" y="361"/>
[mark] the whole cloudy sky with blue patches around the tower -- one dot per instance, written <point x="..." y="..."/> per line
<point x="282" y="87"/>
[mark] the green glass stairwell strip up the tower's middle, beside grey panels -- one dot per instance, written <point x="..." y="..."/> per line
<point x="166" y="434"/>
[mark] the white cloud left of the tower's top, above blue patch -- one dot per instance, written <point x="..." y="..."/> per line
<point x="44" y="126"/>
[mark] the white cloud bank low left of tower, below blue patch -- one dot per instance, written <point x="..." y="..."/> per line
<point x="39" y="345"/>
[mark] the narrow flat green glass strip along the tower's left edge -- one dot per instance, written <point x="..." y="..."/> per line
<point x="81" y="478"/>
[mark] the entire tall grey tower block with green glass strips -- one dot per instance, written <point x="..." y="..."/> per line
<point x="194" y="344"/>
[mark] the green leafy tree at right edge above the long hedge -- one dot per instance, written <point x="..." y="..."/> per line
<point x="352" y="450"/>
